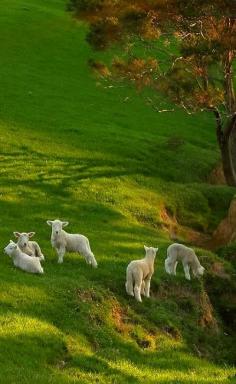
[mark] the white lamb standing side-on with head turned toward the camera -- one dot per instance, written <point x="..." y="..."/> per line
<point x="63" y="241"/>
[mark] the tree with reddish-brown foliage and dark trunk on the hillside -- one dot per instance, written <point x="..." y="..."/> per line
<point x="183" y="49"/>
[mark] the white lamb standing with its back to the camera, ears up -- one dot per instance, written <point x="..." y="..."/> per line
<point x="139" y="274"/>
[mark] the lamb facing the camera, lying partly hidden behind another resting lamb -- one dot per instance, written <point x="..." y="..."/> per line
<point x="31" y="248"/>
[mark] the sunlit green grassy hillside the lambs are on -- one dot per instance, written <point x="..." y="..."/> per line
<point x="75" y="151"/>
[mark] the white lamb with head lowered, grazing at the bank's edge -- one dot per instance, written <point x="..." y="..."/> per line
<point x="179" y="252"/>
